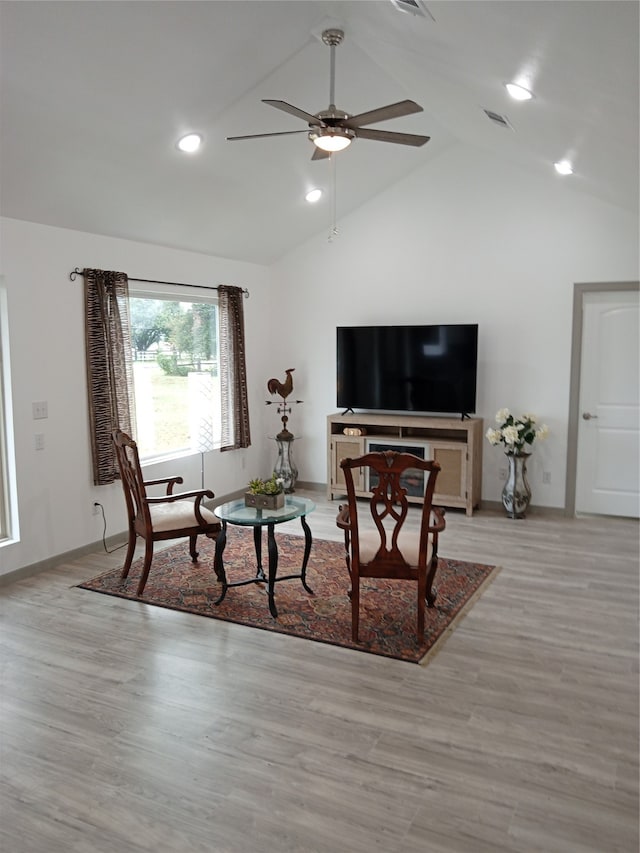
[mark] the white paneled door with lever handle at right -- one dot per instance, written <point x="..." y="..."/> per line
<point x="608" y="464"/>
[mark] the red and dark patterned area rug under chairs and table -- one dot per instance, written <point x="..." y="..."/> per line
<point x="387" y="608"/>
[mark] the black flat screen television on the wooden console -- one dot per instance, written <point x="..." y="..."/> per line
<point x="429" y="369"/>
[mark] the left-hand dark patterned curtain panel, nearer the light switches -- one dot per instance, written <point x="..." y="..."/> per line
<point x="109" y="367"/>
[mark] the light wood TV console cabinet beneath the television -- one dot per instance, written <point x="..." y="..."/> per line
<point x="456" y="444"/>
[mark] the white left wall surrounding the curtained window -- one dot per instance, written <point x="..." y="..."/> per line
<point x="55" y="485"/>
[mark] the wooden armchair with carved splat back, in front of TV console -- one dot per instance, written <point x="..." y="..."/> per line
<point x="389" y="548"/>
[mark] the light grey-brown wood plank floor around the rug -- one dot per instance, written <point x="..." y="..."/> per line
<point x="132" y="728"/>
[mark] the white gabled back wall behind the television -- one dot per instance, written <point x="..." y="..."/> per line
<point x="466" y="240"/>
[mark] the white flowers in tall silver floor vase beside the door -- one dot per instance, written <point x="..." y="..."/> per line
<point x="517" y="434"/>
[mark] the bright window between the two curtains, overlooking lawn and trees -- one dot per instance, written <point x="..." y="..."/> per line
<point x="176" y="378"/>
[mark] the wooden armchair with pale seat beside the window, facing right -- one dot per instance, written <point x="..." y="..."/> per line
<point x="170" y="516"/>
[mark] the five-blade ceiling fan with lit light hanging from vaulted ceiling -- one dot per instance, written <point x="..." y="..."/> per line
<point x="332" y="129"/>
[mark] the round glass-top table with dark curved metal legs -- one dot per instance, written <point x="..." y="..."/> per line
<point x="235" y="512"/>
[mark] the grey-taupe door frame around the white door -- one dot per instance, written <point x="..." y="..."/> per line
<point x="579" y="292"/>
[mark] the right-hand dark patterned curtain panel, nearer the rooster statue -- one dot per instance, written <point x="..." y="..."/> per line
<point x="233" y="370"/>
